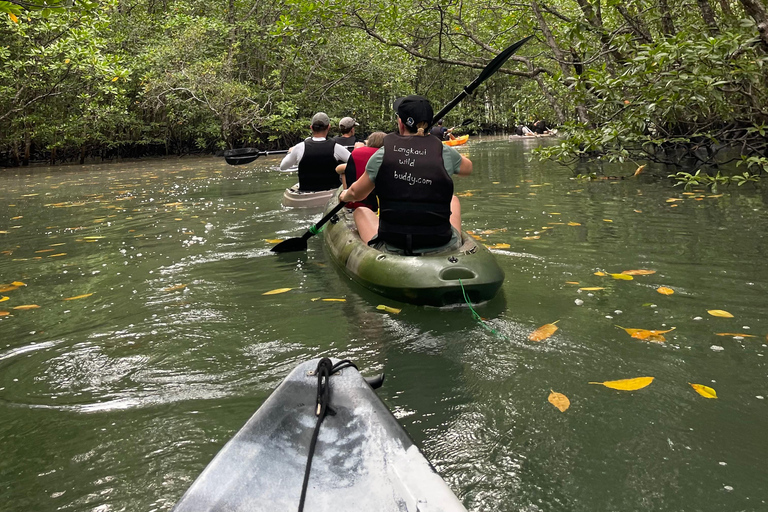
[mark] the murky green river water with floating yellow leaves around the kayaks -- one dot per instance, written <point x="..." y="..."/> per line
<point x="118" y="398"/>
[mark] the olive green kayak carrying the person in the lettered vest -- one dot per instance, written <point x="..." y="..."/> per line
<point x="438" y="278"/>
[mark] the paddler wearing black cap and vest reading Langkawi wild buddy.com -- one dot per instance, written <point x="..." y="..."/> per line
<point x="412" y="175"/>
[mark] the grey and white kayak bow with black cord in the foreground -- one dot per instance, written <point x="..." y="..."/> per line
<point x="363" y="459"/>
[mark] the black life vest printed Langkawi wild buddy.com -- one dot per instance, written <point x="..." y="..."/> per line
<point x="415" y="193"/>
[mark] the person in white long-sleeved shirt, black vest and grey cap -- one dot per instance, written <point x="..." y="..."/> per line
<point x="317" y="157"/>
